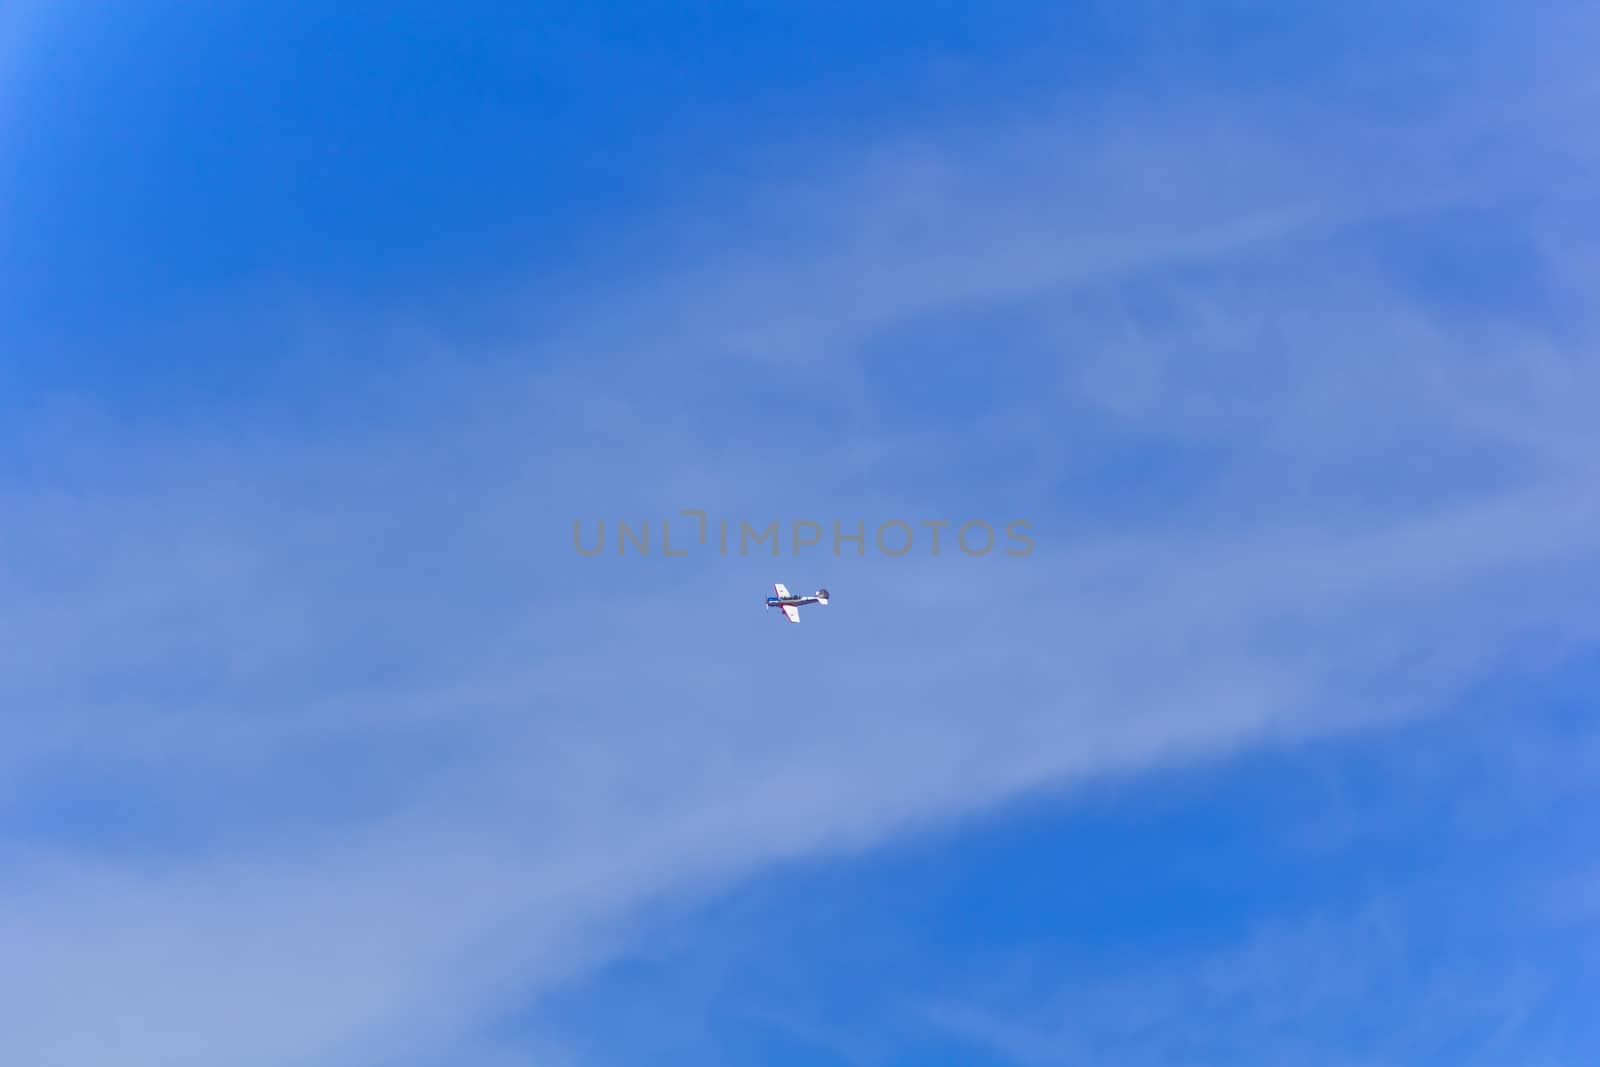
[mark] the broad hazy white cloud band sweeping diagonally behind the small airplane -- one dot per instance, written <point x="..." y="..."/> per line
<point x="412" y="757"/>
